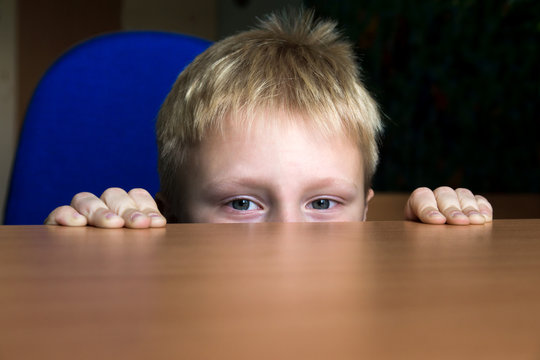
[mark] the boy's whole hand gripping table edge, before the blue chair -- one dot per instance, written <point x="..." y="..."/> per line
<point x="115" y="209"/>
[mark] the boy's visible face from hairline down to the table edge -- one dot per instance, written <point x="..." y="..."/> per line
<point x="282" y="173"/>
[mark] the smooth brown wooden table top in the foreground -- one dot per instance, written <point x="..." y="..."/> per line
<point x="374" y="290"/>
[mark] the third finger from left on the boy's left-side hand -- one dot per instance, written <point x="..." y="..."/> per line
<point x="122" y="204"/>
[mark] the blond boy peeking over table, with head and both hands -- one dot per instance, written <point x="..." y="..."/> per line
<point x="272" y="124"/>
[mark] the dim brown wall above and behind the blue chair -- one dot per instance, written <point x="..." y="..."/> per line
<point x="33" y="33"/>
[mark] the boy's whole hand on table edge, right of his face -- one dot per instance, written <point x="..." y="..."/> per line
<point x="446" y="205"/>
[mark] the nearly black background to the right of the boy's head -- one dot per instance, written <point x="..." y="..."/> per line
<point x="458" y="83"/>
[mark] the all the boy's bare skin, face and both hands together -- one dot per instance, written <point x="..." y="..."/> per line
<point x="280" y="173"/>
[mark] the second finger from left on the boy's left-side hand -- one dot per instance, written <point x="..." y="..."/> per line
<point x="95" y="211"/>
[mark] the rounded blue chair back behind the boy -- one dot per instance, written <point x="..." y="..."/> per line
<point x="90" y="123"/>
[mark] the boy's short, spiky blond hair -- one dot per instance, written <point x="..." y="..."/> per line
<point x="289" y="62"/>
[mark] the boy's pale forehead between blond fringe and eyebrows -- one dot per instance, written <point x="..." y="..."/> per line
<point x="272" y="144"/>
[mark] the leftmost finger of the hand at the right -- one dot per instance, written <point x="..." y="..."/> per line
<point x="423" y="206"/>
